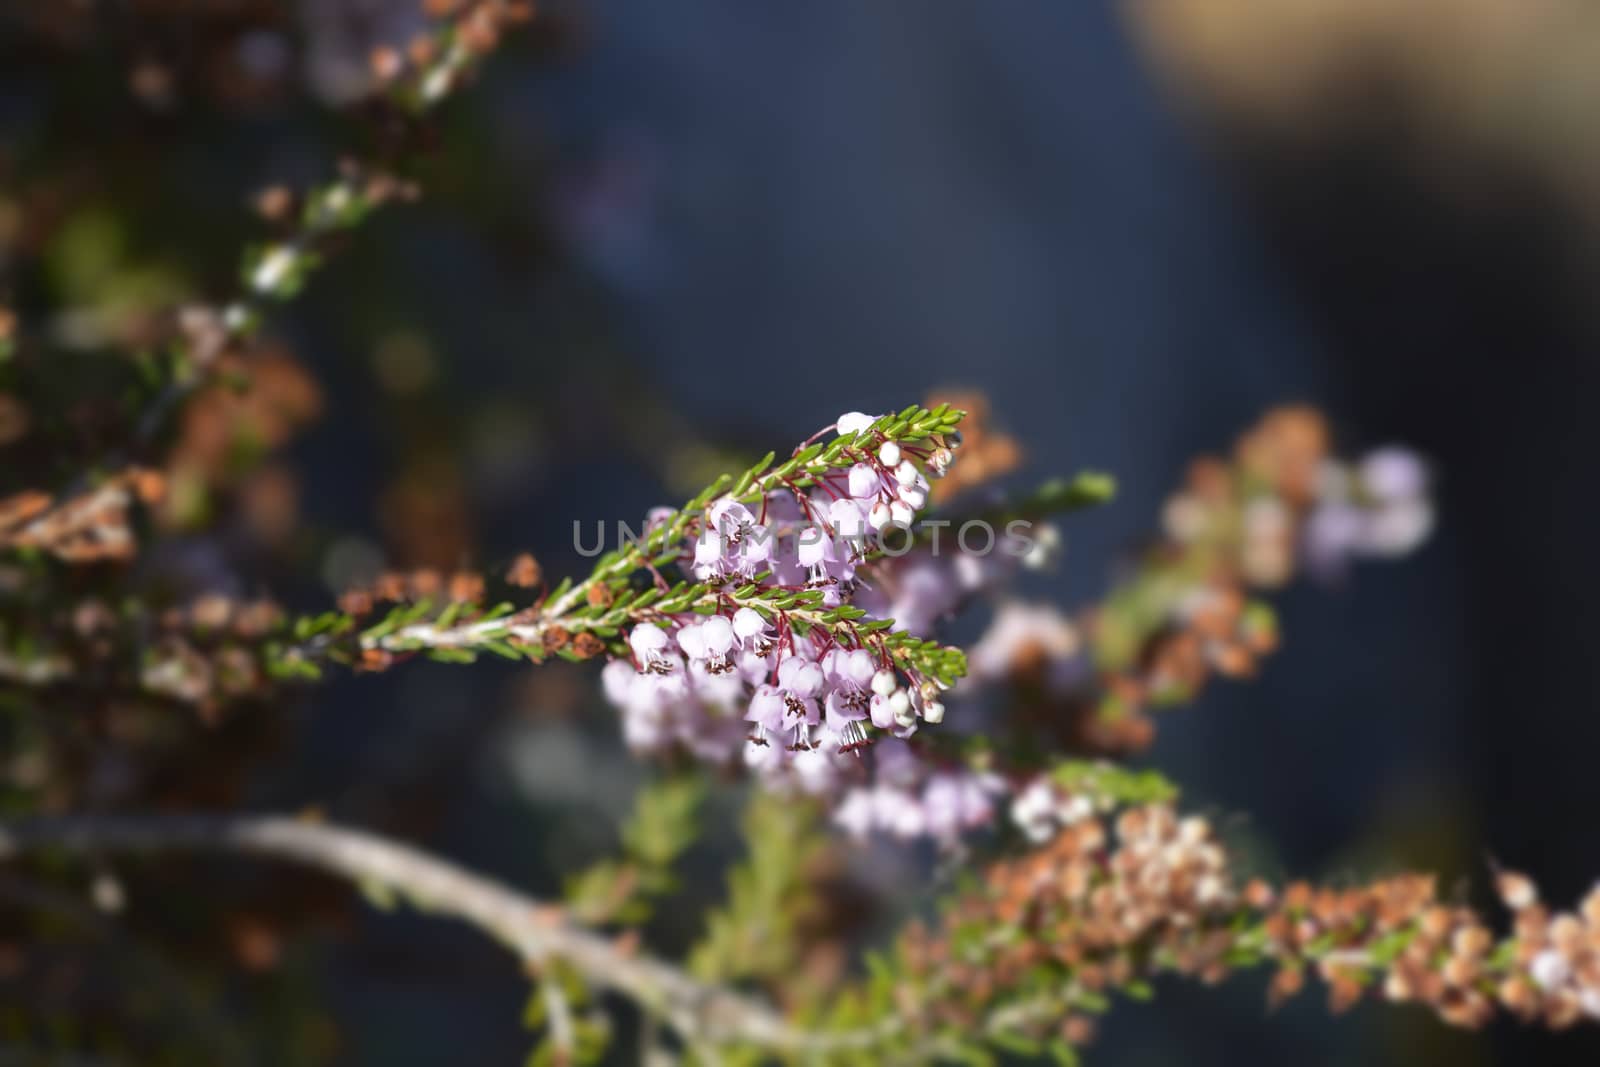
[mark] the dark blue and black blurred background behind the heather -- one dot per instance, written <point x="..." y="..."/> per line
<point x="657" y="238"/>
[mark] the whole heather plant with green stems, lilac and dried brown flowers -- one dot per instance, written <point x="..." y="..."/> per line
<point x="783" y="633"/>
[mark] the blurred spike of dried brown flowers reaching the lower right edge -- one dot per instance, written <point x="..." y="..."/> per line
<point x="1110" y="905"/>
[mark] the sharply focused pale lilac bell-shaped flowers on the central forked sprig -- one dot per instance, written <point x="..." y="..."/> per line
<point x="793" y="700"/>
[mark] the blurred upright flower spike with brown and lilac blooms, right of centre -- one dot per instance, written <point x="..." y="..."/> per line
<point x="1191" y="607"/>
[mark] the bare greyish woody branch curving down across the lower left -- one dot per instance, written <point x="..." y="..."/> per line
<point x="535" y="932"/>
